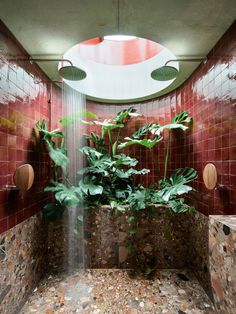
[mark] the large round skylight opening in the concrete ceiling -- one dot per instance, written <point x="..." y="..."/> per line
<point x="117" y="68"/>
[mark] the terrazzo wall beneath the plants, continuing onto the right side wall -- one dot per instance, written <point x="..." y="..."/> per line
<point x="162" y="242"/>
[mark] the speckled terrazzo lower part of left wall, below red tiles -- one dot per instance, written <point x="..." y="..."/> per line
<point x="24" y="263"/>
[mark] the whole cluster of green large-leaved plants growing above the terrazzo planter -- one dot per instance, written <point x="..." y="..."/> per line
<point x="110" y="175"/>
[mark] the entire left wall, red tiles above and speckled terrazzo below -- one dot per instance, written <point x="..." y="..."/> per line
<point x="26" y="96"/>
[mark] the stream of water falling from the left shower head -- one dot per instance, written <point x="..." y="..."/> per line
<point x="73" y="108"/>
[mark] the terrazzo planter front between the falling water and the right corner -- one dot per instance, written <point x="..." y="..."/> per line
<point x="158" y="243"/>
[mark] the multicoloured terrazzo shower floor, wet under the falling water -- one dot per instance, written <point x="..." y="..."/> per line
<point x="119" y="291"/>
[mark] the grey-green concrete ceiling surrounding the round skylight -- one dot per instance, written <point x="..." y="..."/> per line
<point x="189" y="28"/>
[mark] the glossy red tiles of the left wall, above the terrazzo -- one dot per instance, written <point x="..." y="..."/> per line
<point x="24" y="98"/>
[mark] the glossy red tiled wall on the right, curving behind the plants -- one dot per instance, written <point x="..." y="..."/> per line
<point x="209" y="95"/>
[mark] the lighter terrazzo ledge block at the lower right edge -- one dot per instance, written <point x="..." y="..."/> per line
<point x="222" y="244"/>
